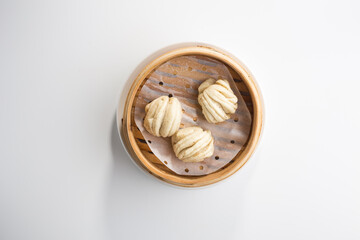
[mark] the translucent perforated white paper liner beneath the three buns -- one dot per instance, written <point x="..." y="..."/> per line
<point x="181" y="77"/>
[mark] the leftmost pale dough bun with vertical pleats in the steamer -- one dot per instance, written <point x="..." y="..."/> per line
<point x="163" y="116"/>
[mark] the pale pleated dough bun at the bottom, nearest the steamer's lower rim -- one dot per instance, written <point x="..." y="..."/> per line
<point x="193" y="144"/>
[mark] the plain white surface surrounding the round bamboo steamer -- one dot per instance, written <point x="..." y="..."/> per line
<point x="65" y="175"/>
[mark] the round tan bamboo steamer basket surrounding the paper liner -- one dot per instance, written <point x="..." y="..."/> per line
<point x="138" y="148"/>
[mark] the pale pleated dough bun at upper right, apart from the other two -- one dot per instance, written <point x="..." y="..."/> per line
<point x="217" y="100"/>
